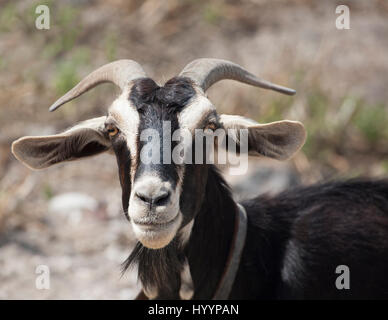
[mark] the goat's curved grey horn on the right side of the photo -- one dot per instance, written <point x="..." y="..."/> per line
<point x="206" y="72"/>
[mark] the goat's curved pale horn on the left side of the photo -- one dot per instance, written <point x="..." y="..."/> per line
<point x="120" y="72"/>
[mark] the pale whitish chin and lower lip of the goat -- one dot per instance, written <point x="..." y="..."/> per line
<point x="157" y="237"/>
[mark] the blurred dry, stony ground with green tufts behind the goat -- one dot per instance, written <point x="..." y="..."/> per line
<point x="69" y="217"/>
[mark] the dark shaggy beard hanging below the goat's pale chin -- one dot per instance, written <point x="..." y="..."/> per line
<point x="158" y="269"/>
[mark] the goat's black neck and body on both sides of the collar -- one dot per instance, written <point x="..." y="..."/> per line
<point x="296" y="241"/>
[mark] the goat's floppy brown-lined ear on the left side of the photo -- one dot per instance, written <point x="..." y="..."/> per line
<point x="83" y="140"/>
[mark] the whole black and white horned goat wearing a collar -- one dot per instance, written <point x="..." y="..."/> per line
<point x="184" y="215"/>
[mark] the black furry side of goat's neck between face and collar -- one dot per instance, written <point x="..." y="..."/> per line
<point x="211" y="236"/>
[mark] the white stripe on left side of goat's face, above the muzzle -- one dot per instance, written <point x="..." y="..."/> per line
<point x="127" y="118"/>
